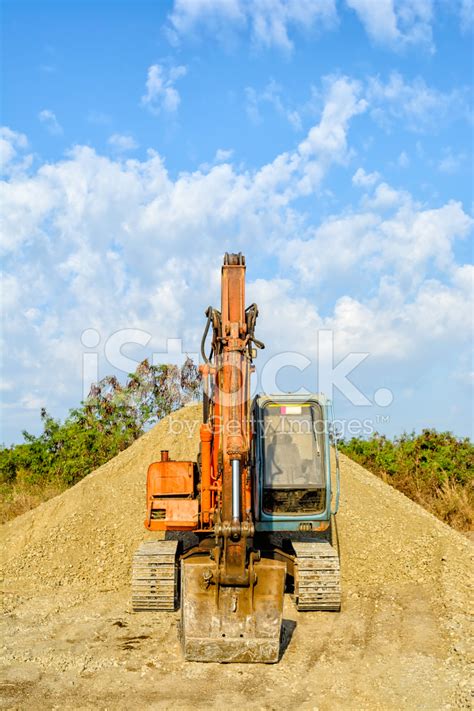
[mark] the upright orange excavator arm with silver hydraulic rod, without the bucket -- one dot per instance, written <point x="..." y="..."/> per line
<point x="231" y="389"/>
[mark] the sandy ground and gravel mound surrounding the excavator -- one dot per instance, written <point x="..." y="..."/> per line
<point x="70" y="640"/>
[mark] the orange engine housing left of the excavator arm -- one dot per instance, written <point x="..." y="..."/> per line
<point x="169" y="494"/>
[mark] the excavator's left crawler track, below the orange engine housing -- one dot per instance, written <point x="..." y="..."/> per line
<point x="154" y="576"/>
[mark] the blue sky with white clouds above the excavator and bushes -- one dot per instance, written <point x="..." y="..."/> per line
<point x="329" y="140"/>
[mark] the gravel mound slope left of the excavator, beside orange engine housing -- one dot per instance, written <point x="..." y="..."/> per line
<point x="86" y="536"/>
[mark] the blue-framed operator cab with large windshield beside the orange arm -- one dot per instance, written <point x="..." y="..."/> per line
<point x="292" y="458"/>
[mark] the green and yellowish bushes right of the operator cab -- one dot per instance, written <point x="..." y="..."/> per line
<point x="435" y="469"/>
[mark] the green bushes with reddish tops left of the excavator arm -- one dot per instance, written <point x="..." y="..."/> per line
<point x="110" y="419"/>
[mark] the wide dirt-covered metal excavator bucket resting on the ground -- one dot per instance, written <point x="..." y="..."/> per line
<point x="231" y="624"/>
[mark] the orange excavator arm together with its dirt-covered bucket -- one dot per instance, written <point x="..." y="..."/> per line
<point x="231" y="599"/>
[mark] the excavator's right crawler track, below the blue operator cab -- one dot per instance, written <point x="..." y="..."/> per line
<point x="317" y="577"/>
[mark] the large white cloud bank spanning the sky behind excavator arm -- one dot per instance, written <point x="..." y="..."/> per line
<point x="86" y="236"/>
